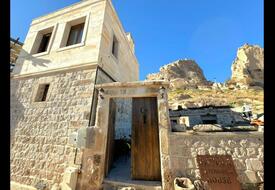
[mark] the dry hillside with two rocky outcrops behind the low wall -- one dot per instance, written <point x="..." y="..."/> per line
<point x="189" y="87"/>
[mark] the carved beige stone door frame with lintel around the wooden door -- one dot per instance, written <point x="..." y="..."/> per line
<point x="128" y="90"/>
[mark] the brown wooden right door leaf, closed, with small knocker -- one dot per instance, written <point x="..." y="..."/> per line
<point x="145" y="156"/>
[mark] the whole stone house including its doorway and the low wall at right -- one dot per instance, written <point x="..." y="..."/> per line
<point x="75" y="94"/>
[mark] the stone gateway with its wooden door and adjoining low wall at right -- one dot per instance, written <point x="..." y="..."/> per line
<point x="158" y="154"/>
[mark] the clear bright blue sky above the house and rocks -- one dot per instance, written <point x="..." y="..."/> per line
<point x="209" y="32"/>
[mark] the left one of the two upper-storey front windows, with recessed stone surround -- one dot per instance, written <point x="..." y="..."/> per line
<point x="42" y="41"/>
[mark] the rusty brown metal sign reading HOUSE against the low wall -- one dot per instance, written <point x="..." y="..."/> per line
<point x="218" y="171"/>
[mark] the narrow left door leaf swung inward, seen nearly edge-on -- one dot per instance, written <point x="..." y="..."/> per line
<point x="110" y="137"/>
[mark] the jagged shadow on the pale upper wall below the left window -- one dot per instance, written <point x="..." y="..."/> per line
<point x="35" y="61"/>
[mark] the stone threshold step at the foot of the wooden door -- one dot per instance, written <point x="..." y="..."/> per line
<point x="131" y="185"/>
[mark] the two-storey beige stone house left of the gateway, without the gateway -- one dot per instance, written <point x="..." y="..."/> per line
<point x="65" y="54"/>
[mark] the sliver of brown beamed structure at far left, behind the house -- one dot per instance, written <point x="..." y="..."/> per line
<point x="15" y="48"/>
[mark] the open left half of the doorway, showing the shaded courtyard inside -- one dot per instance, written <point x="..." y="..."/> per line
<point x="118" y="153"/>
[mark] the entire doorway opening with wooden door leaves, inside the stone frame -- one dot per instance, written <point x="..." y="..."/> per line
<point x="133" y="140"/>
